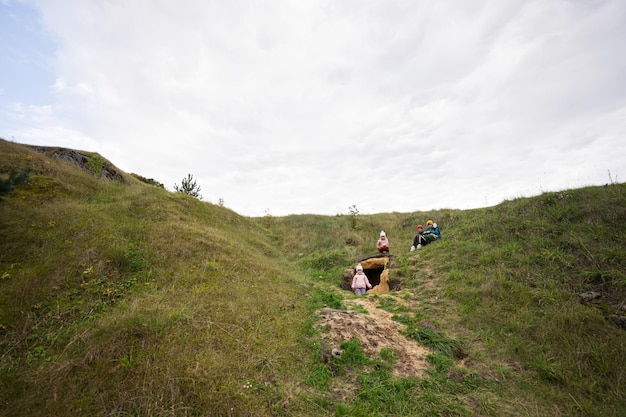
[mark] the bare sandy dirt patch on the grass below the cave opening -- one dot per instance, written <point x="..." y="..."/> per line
<point x="375" y="330"/>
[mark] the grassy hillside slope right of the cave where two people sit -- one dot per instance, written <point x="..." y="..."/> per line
<point x="534" y="289"/>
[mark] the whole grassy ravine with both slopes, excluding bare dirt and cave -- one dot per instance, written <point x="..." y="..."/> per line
<point x="129" y="300"/>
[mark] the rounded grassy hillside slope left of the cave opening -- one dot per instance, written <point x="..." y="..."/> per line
<point x="123" y="298"/>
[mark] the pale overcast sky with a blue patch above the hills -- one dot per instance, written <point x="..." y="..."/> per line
<point x="281" y="107"/>
